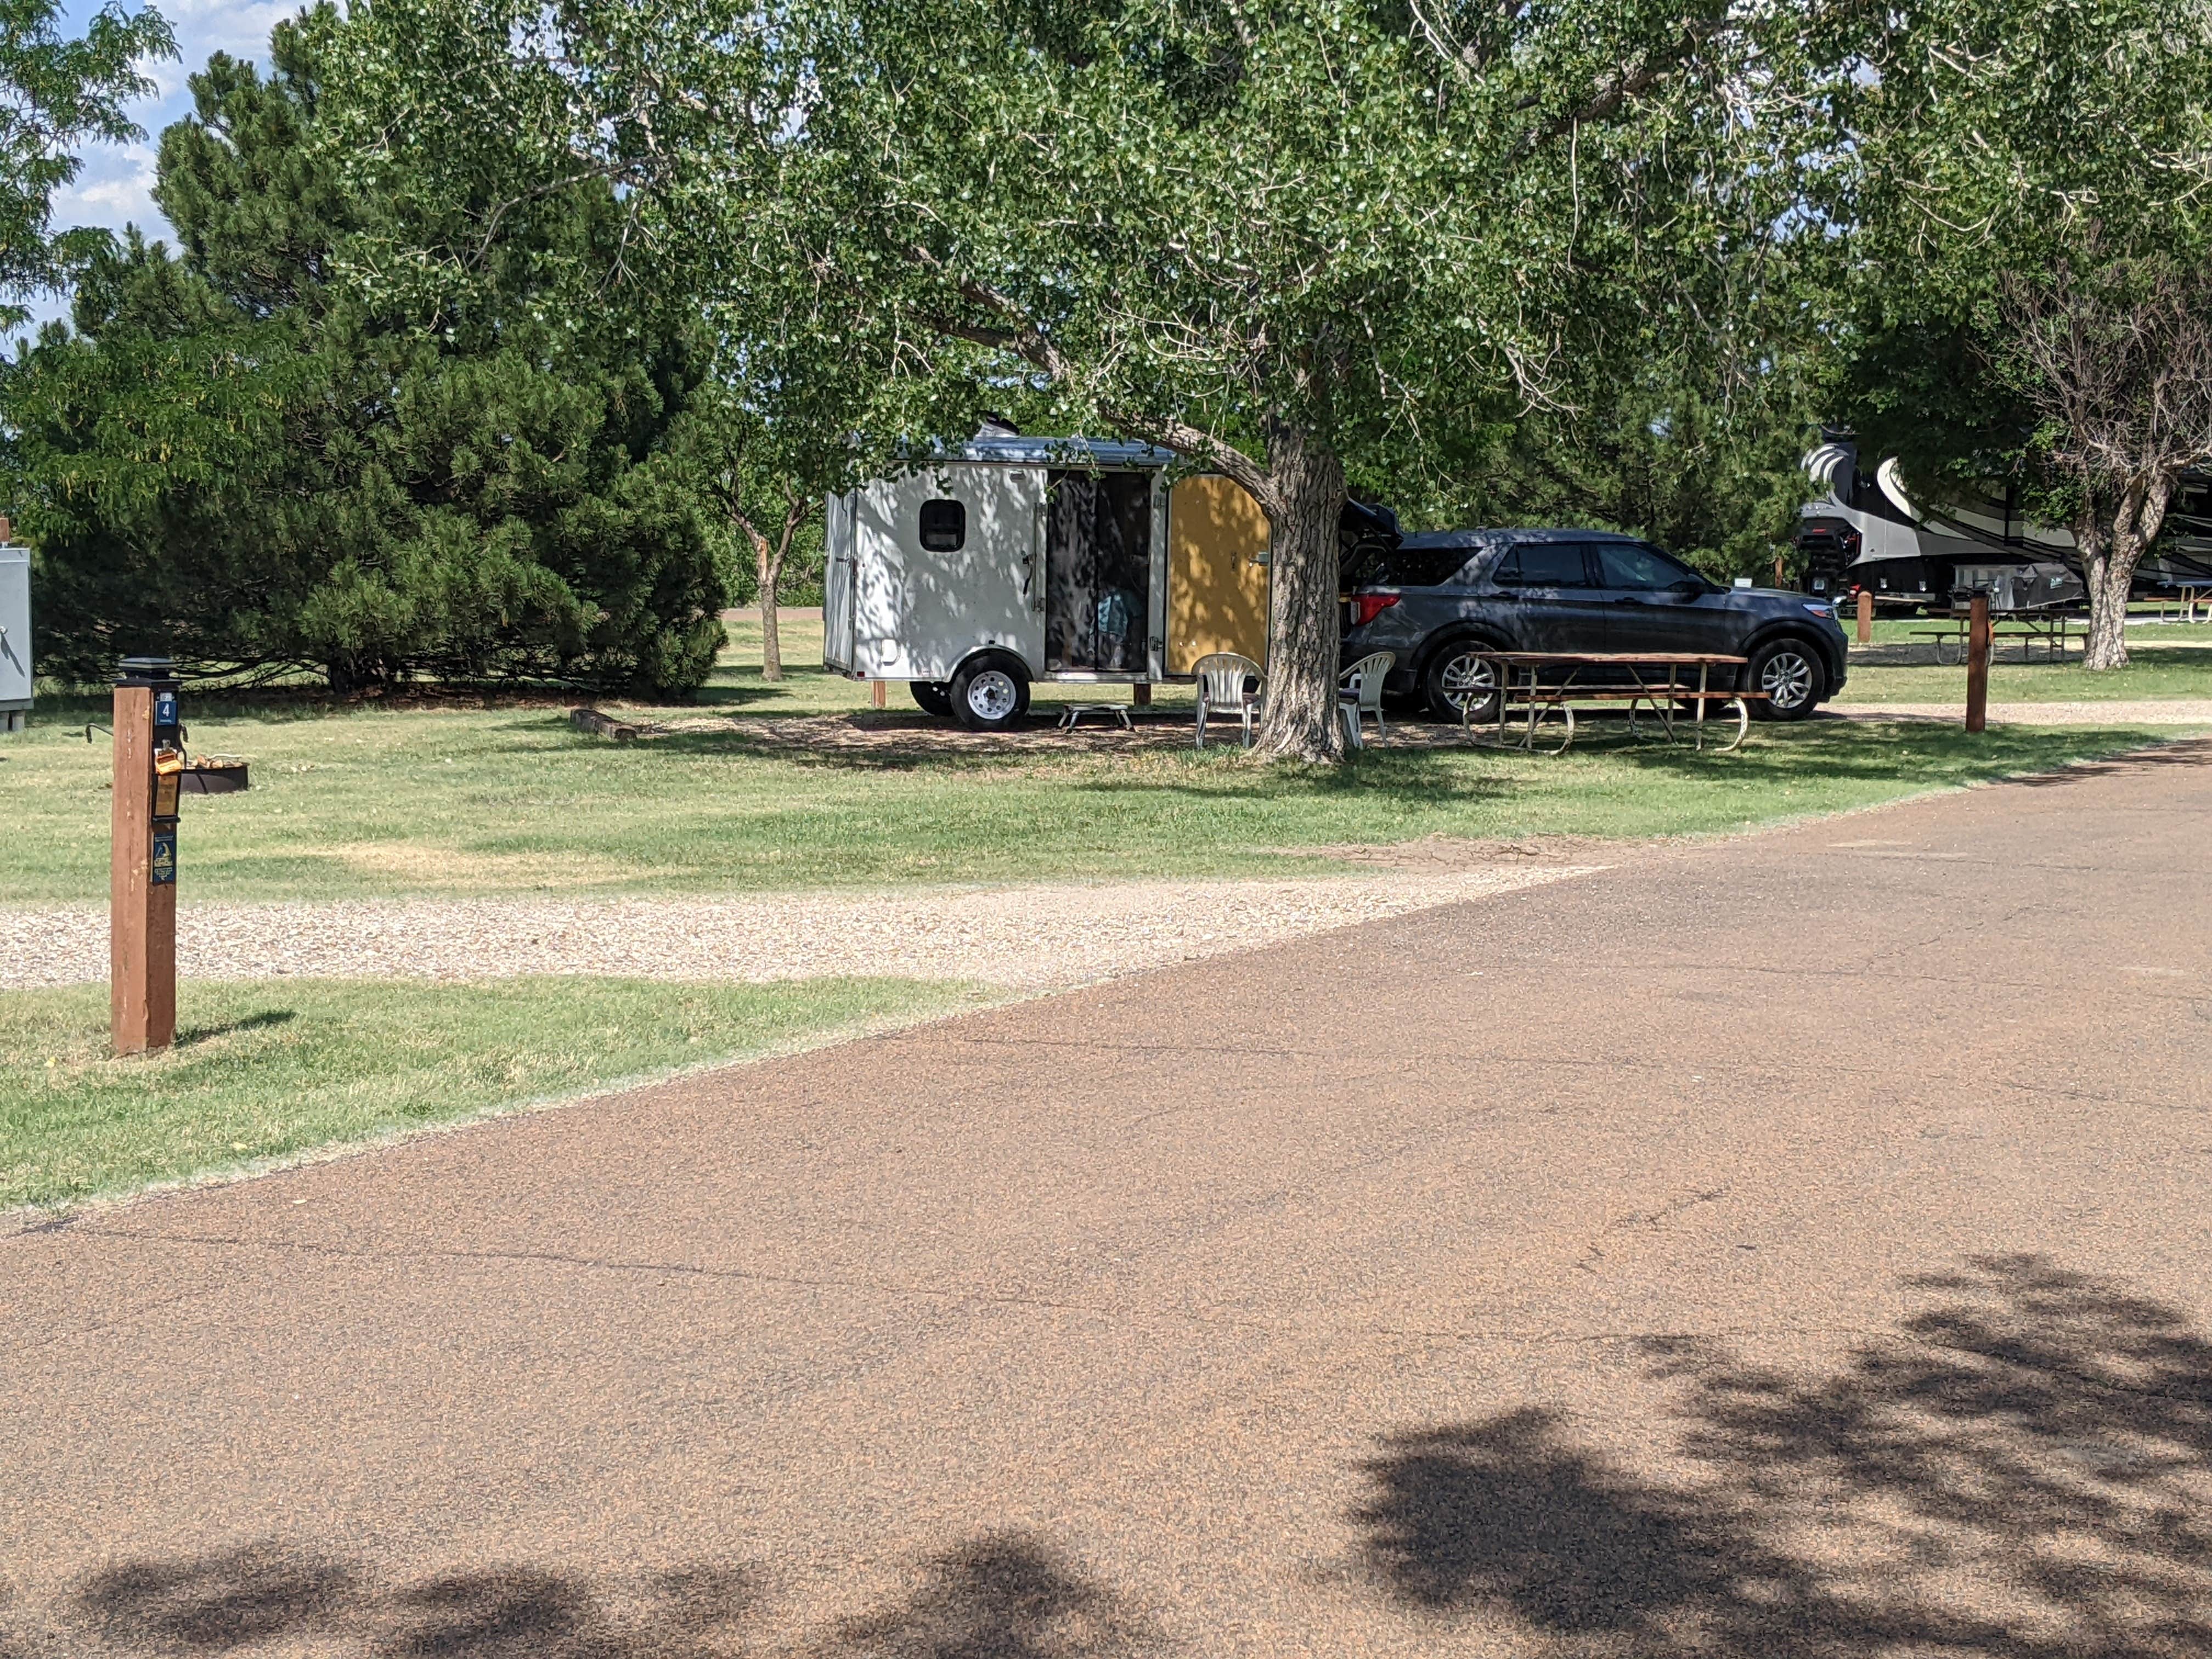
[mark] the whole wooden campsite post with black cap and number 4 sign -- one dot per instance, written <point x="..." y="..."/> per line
<point x="143" y="859"/>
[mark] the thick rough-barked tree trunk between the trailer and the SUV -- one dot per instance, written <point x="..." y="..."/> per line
<point x="1304" y="636"/>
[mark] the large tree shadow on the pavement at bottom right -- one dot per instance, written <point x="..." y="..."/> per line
<point x="2025" y="1472"/>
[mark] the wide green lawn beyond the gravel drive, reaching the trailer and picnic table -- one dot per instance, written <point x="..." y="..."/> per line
<point x="357" y="802"/>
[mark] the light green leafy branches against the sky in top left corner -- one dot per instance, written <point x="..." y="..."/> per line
<point x="59" y="94"/>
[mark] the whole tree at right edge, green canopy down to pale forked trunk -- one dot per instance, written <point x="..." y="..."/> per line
<point x="2023" y="191"/>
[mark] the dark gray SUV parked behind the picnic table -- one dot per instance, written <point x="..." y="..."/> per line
<point x="1437" y="598"/>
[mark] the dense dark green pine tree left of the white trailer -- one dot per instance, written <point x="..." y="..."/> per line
<point x="251" y="463"/>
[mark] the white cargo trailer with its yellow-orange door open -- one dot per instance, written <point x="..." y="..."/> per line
<point x="1012" y="561"/>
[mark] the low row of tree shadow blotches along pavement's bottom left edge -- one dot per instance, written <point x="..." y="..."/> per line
<point x="1005" y="1596"/>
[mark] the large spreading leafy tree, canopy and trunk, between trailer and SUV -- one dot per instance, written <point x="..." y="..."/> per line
<point x="1295" y="240"/>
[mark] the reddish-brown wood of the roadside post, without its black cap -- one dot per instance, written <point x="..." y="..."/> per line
<point x="143" y="912"/>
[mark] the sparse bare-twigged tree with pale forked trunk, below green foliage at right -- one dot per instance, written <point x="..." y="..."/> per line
<point x="2118" y="359"/>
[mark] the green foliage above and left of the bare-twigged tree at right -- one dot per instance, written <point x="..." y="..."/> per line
<point x="1992" y="143"/>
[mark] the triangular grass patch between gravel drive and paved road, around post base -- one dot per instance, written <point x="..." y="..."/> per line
<point x="280" y="1067"/>
